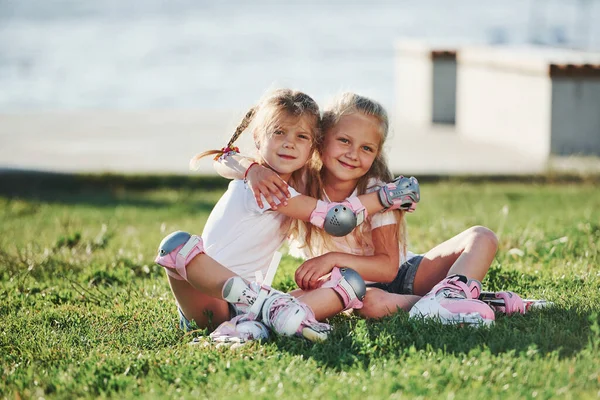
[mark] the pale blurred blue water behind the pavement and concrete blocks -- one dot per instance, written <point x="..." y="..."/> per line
<point x="151" y="54"/>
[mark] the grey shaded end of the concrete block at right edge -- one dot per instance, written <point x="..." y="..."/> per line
<point x="575" y="124"/>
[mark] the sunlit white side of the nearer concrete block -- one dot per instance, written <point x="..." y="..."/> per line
<point x="503" y="107"/>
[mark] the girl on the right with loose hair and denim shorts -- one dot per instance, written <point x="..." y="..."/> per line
<point x="352" y="163"/>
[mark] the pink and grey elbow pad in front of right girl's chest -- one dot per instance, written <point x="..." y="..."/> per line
<point x="338" y="219"/>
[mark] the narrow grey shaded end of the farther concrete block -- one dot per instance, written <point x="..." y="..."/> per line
<point x="444" y="91"/>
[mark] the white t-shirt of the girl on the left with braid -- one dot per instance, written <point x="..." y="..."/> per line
<point x="240" y="235"/>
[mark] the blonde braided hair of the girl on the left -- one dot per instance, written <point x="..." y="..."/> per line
<point x="264" y="117"/>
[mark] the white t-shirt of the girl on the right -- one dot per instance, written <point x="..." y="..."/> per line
<point x="348" y="244"/>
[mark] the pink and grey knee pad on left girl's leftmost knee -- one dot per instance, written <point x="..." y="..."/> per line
<point x="176" y="251"/>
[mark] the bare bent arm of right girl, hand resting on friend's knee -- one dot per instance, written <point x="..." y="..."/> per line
<point x="380" y="267"/>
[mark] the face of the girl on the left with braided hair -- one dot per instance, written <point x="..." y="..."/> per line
<point x="286" y="147"/>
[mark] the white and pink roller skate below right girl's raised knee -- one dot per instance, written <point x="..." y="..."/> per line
<point x="454" y="301"/>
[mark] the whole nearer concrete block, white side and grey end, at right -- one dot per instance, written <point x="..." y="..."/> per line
<point x="541" y="100"/>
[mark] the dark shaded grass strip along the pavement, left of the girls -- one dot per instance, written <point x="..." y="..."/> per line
<point x="107" y="190"/>
